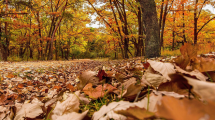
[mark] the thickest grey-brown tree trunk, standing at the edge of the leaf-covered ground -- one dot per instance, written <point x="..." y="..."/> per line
<point x="152" y="42"/>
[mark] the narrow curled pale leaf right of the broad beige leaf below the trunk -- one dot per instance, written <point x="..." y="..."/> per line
<point x="195" y="73"/>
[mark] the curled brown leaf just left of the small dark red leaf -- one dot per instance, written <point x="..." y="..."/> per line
<point x="87" y="77"/>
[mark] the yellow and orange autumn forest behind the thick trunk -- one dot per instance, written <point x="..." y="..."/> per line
<point x="59" y="29"/>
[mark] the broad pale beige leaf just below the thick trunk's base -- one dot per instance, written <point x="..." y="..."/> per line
<point x="164" y="68"/>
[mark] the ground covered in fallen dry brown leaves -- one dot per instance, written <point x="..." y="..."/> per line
<point x="178" y="88"/>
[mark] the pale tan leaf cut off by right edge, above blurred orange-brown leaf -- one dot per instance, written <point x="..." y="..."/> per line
<point x="205" y="89"/>
